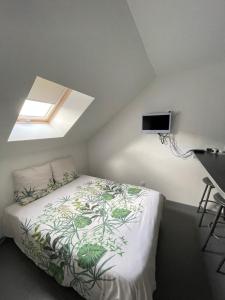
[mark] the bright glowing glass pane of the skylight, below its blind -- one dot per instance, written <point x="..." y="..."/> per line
<point x="33" y="109"/>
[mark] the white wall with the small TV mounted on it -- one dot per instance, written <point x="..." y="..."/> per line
<point x="121" y="152"/>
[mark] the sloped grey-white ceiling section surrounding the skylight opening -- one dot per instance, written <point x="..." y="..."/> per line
<point x="92" y="46"/>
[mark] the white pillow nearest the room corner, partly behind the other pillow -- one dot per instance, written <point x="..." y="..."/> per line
<point x="63" y="170"/>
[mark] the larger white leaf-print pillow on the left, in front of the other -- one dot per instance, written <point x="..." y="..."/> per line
<point x="32" y="183"/>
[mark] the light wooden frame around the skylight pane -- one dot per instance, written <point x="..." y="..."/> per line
<point x="49" y="116"/>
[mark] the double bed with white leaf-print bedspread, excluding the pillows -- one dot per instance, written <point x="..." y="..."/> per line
<point x="95" y="235"/>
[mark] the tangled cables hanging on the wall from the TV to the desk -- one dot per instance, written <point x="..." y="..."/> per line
<point x="169" y="139"/>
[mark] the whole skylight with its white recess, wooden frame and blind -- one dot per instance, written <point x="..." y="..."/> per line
<point x="49" y="111"/>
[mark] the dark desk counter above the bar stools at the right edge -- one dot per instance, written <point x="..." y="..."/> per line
<point x="215" y="167"/>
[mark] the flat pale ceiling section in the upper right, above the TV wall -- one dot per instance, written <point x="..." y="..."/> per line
<point x="180" y="33"/>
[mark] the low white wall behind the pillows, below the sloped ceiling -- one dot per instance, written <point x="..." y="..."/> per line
<point x="18" y="161"/>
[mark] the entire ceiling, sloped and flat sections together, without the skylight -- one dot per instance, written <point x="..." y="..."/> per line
<point x="93" y="46"/>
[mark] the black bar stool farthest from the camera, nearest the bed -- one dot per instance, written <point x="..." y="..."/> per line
<point x="207" y="191"/>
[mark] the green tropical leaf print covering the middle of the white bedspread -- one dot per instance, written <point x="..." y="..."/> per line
<point x="76" y="238"/>
